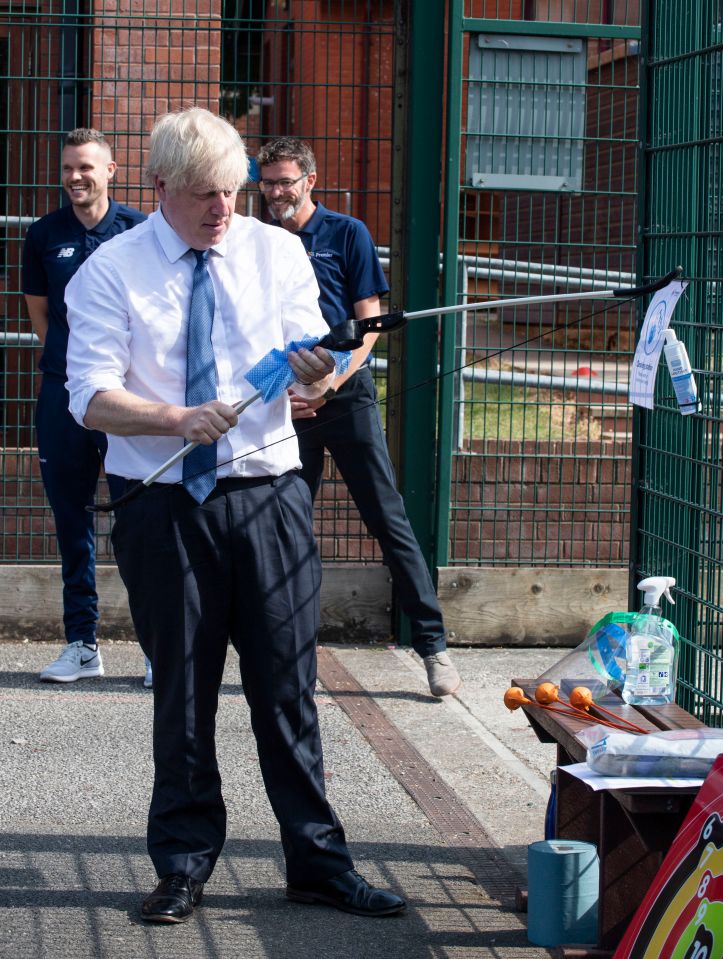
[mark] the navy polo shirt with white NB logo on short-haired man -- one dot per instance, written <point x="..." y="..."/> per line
<point x="55" y="246"/>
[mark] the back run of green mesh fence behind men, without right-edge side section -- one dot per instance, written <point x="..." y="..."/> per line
<point x="537" y="474"/>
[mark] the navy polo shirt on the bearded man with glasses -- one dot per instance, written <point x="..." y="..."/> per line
<point x="345" y="262"/>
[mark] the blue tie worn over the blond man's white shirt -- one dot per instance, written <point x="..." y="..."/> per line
<point x="199" y="467"/>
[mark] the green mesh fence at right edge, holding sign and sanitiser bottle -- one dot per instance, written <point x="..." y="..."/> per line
<point x="679" y="503"/>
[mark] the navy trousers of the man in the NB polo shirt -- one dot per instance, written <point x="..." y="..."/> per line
<point x="70" y="461"/>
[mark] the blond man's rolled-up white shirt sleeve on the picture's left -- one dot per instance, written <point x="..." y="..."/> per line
<point x="98" y="346"/>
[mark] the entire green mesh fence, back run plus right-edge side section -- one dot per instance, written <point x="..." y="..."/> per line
<point x="539" y="189"/>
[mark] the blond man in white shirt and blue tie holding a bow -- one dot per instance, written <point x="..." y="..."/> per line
<point x="164" y="323"/>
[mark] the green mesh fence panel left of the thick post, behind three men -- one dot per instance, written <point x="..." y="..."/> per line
<point x="323" y="71"/>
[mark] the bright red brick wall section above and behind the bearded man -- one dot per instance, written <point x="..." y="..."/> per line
<point x="328" y="79"/>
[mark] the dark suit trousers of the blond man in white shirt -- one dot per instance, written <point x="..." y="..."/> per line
<point x="243" y="566"/>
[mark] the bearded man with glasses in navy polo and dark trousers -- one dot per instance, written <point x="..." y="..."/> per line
<point x="346" y="420"/>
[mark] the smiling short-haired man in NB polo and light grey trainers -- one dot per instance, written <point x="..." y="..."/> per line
<point x="70" y="457"/>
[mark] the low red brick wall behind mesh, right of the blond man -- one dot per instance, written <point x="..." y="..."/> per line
<point x="514" y="501"/>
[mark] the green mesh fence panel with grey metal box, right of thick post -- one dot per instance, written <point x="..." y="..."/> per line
<point x="540" y="197"/>
